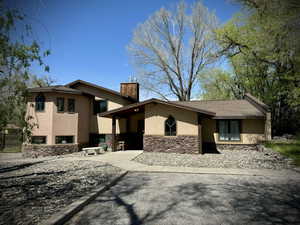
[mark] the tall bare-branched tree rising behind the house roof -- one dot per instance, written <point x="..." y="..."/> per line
<point x="171" y="48"/>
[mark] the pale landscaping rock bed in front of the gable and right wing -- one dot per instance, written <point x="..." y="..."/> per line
<point x="262" y="159"/>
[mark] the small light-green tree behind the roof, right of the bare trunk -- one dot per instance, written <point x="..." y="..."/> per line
<point x="217" y="84"/>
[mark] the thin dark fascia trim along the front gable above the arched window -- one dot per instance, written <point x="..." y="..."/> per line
<point x="154" y="100"/>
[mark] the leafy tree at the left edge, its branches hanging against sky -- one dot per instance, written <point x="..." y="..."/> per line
<point x="16" y="57"/>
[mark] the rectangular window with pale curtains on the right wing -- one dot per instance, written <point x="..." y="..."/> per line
<point x="229" y="130"/>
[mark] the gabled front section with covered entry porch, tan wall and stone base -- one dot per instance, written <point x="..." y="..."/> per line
<point x="143" y="126"/>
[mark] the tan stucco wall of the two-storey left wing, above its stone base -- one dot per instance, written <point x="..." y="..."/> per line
<point x="51" y="123"/>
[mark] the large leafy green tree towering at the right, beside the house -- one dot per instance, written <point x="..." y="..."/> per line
<point x="265" y="60"/>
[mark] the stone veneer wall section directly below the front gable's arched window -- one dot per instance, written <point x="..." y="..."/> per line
<point x="176" y="144"/>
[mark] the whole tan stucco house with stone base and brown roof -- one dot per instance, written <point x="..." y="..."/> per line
<point x="67" y="118"/>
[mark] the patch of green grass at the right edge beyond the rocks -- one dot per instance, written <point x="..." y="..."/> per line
<point x="291" y="150"/>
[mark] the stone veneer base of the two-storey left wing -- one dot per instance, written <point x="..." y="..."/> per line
<point x="34" y="150"/>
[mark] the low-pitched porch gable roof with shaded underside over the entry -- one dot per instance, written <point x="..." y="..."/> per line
<point x="140" y="107"/>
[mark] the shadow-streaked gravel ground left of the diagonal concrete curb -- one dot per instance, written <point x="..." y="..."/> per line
<point x="32" y="190"/>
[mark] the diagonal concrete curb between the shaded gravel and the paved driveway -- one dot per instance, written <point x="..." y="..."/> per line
<point x="66" y="213"/>
